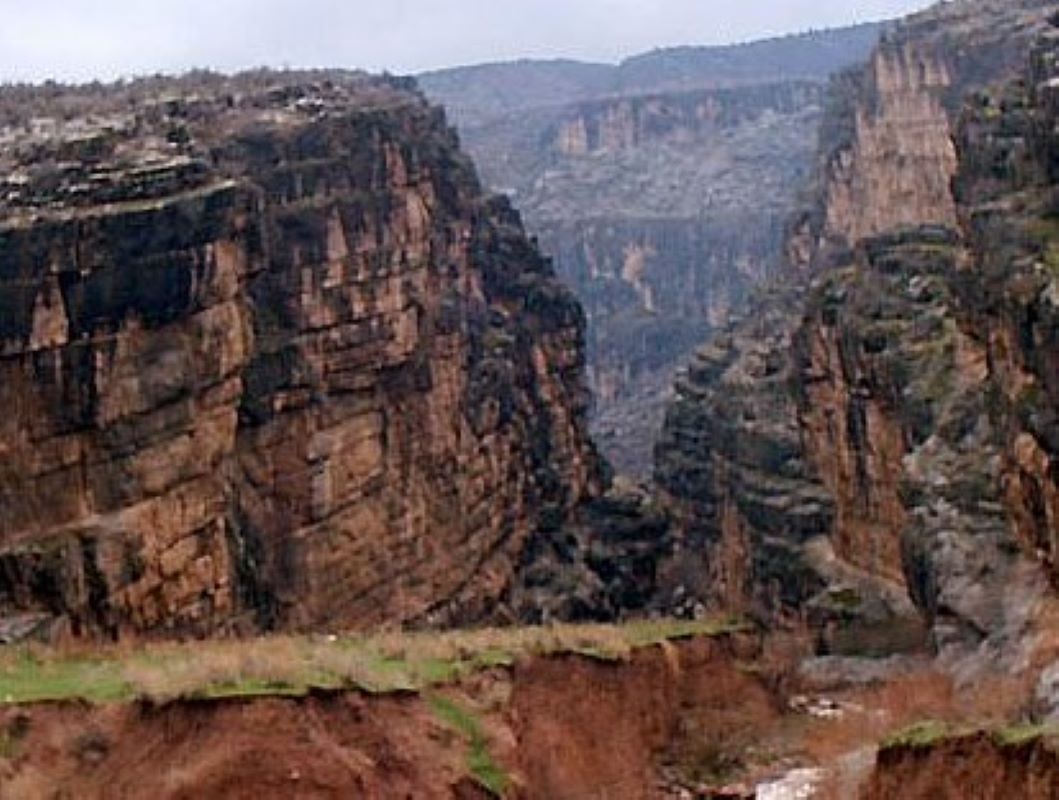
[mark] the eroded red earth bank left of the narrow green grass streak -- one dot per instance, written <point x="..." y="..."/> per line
<point x="343" y="746"/>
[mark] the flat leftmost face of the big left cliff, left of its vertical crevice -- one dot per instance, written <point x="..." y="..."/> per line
<point x="124" y="344"/>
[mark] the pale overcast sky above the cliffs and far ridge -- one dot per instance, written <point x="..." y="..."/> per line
<point x="81" y="40"/>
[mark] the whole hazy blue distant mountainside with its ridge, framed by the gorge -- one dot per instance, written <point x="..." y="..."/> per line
<point x="662" y="188"/>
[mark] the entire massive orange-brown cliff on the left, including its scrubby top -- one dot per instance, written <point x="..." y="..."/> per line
<point x="270" y="359"/>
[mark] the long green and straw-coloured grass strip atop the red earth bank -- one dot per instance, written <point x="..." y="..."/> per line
<point x="296" y="666"/>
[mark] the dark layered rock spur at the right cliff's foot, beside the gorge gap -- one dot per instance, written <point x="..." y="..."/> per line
<point x="755" y="519"/>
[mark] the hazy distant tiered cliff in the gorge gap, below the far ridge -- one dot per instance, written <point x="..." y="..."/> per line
<point x="663" y="232"/>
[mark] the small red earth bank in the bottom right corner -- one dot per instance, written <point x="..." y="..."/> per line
<point x="967" y="769"/>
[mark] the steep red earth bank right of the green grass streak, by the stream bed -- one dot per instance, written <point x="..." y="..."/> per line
<point x="587" y="731"/>
